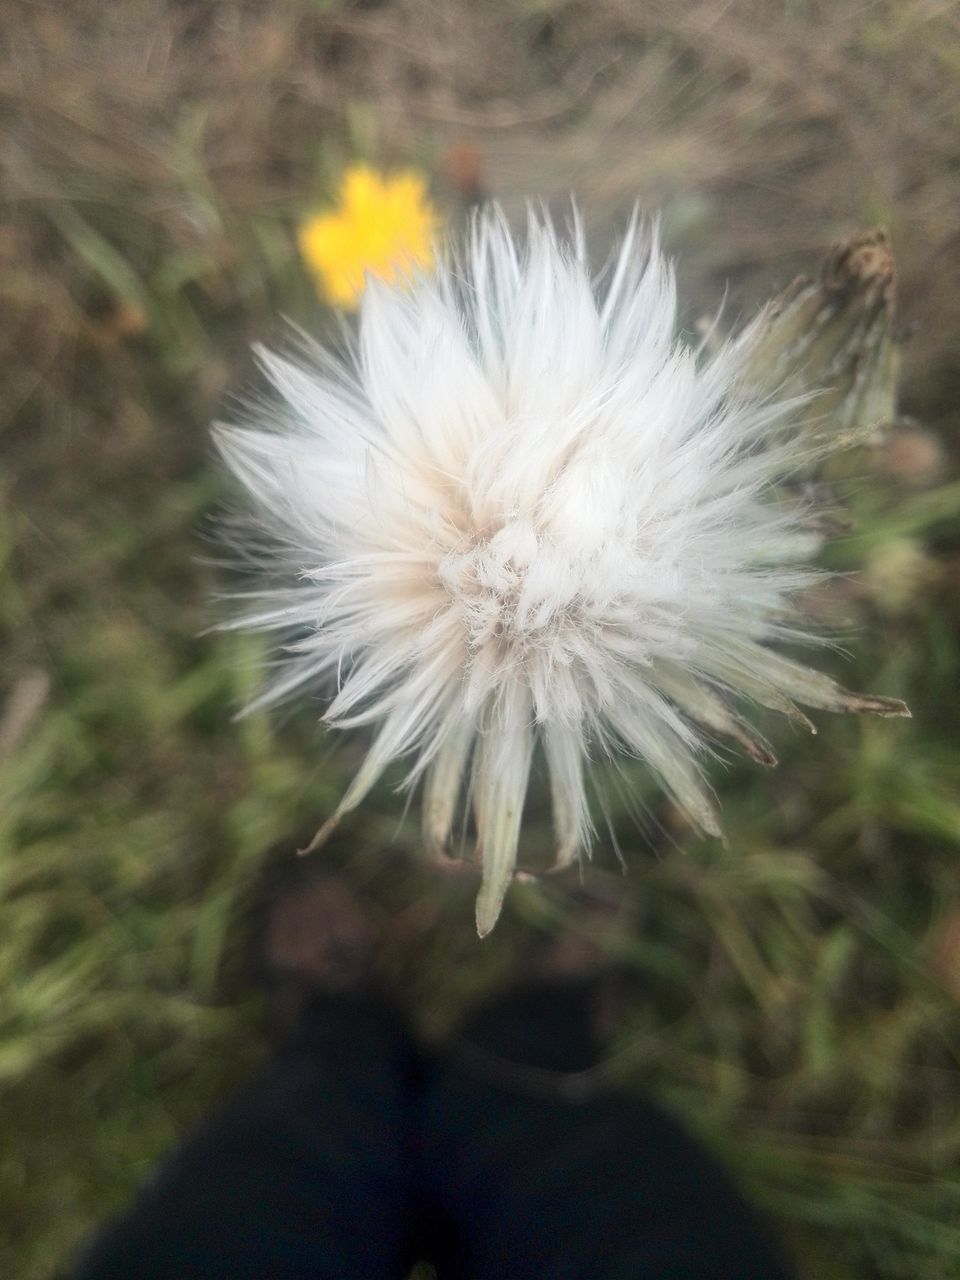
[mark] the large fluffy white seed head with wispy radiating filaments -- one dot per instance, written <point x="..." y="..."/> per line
<point x="520" y="514"/>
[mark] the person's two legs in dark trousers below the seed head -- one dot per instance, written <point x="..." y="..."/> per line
<point x="500" y="1160"/>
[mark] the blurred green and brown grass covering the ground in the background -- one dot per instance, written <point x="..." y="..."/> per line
<point x="798" y="991"/>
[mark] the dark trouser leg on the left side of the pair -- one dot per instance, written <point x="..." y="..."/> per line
<point x="304" y="1178"/>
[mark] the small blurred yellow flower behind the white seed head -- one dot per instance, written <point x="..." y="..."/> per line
<point x="383" y="225"/>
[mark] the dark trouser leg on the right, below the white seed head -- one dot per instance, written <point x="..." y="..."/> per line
<point x="538" y="1185"/>
